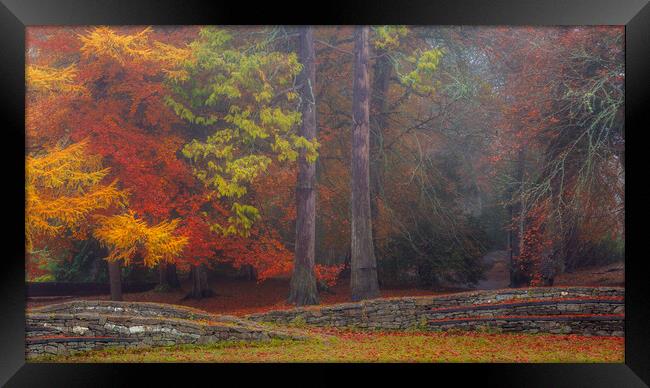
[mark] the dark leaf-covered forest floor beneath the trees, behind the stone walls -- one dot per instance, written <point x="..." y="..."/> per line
<point x="241" y="297"/>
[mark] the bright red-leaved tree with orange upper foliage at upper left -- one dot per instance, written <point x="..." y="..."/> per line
<point x="116" y="103"/>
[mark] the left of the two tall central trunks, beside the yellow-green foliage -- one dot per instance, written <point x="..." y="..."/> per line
<point x="303" y="288"/>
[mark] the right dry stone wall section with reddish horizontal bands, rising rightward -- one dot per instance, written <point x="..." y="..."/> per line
<point x="577" y="310"/>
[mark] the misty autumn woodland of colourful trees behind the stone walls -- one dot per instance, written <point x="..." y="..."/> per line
<point x="379" y="156"/>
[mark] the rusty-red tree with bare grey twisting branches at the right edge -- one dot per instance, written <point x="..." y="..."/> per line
<point x="562" y="128"/>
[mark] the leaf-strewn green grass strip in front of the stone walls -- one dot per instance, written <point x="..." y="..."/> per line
<point x="357" y="346"/>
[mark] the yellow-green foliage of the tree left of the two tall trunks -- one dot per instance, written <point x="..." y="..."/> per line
<point x="240" y="103"/>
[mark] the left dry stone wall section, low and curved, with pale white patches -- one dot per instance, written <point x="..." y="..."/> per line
<point x="85" y="325"/>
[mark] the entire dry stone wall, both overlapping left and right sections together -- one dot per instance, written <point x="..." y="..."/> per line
<point x="84" y="325"/>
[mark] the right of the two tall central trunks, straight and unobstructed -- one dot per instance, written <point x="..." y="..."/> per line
<point x="363" y="280"/>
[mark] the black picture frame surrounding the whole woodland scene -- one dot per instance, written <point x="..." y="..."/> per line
<point x="15" y="15"/>
